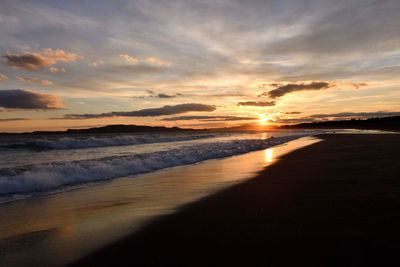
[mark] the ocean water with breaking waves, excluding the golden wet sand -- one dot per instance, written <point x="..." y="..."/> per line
<point x="35" y="165"/>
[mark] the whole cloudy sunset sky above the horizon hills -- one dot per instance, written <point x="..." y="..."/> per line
<point x="196" y="64"/>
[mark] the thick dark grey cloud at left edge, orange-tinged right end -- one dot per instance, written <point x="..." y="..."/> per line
<point x="26" y="99"/>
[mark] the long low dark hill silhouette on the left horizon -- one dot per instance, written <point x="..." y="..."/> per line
<point x="118" y="128"/>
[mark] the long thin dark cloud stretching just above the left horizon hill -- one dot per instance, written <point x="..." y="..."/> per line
<point x="150" y="112"/>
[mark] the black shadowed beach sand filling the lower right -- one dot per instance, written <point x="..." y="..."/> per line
<point x="334" y="203"/>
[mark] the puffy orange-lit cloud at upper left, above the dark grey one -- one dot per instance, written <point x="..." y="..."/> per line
<point x="34" y="61"/>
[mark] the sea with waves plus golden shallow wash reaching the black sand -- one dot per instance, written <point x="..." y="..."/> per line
<point x="69" y="195"/>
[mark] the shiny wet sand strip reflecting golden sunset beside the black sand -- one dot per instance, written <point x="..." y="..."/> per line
<point x="72" y="224"/>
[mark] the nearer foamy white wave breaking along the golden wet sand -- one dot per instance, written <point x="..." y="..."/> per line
<point x="53" y="176"/>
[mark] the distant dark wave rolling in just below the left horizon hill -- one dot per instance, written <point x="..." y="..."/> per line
<point x="92" y="142"/>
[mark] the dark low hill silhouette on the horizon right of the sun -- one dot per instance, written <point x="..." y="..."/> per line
<point x="383" y="123"/>
